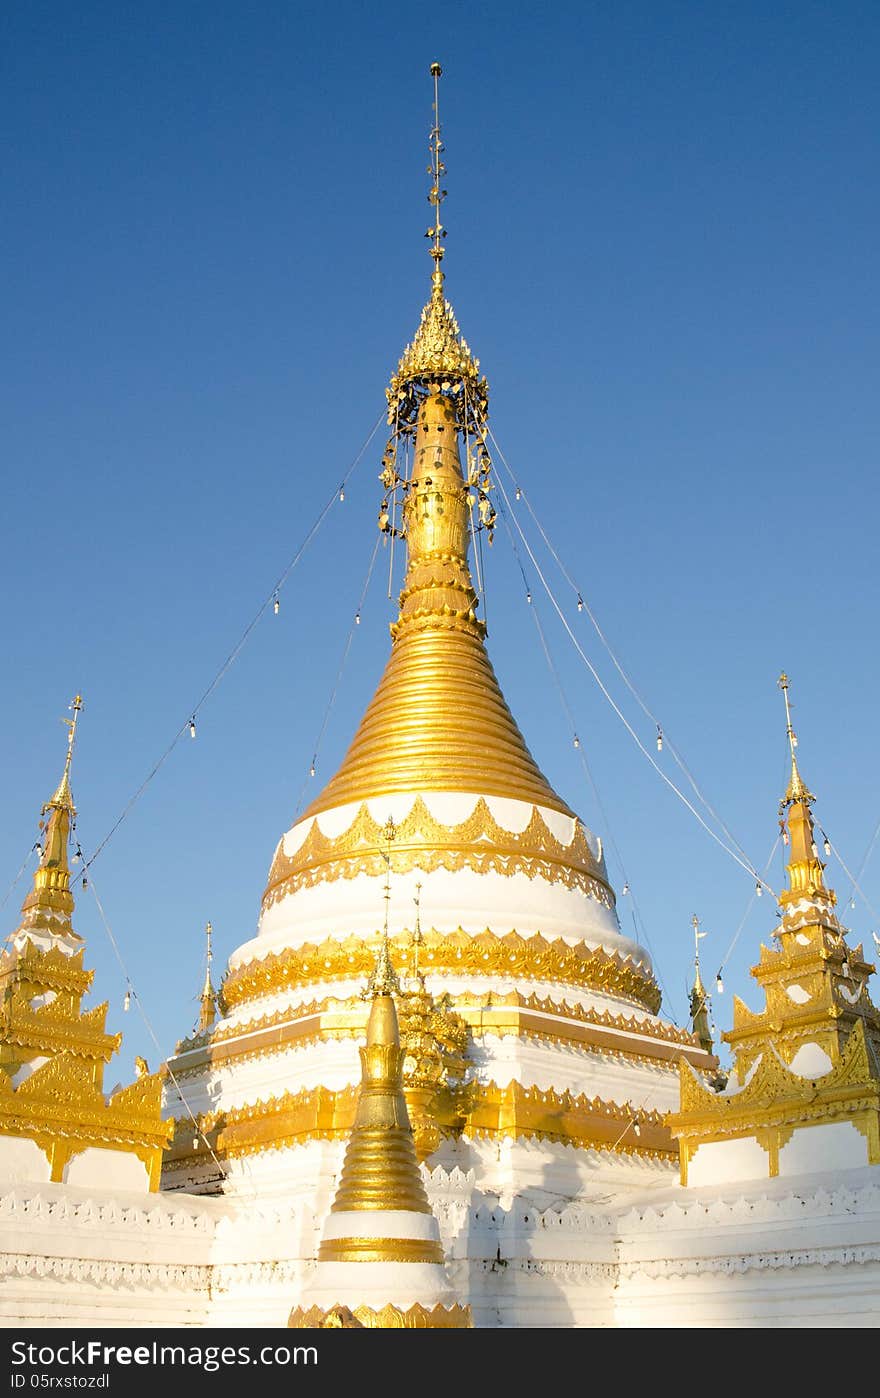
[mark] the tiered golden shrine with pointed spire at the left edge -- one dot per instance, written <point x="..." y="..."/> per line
<point x="52" y="1052"/>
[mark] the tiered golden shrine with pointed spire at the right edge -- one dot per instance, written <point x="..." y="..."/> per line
<point x="807" y="1077"/>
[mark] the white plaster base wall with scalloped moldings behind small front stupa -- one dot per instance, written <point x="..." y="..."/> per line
<point x="755" y="1255"/>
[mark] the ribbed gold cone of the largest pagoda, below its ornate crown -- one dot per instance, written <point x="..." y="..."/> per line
<point x="439" y="721"/>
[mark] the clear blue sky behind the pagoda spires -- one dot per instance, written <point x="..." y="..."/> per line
<point x="664" y="229"/>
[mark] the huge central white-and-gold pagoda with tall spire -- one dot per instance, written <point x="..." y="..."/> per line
<point x="531" y="1021"/>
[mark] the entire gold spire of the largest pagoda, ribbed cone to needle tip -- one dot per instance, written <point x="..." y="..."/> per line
<point x="439" y="721"/>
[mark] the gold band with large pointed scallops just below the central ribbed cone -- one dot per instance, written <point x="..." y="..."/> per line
<point x="478" y="844"/>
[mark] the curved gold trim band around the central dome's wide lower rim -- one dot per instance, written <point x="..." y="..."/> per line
<point x="479" y="954"/>
